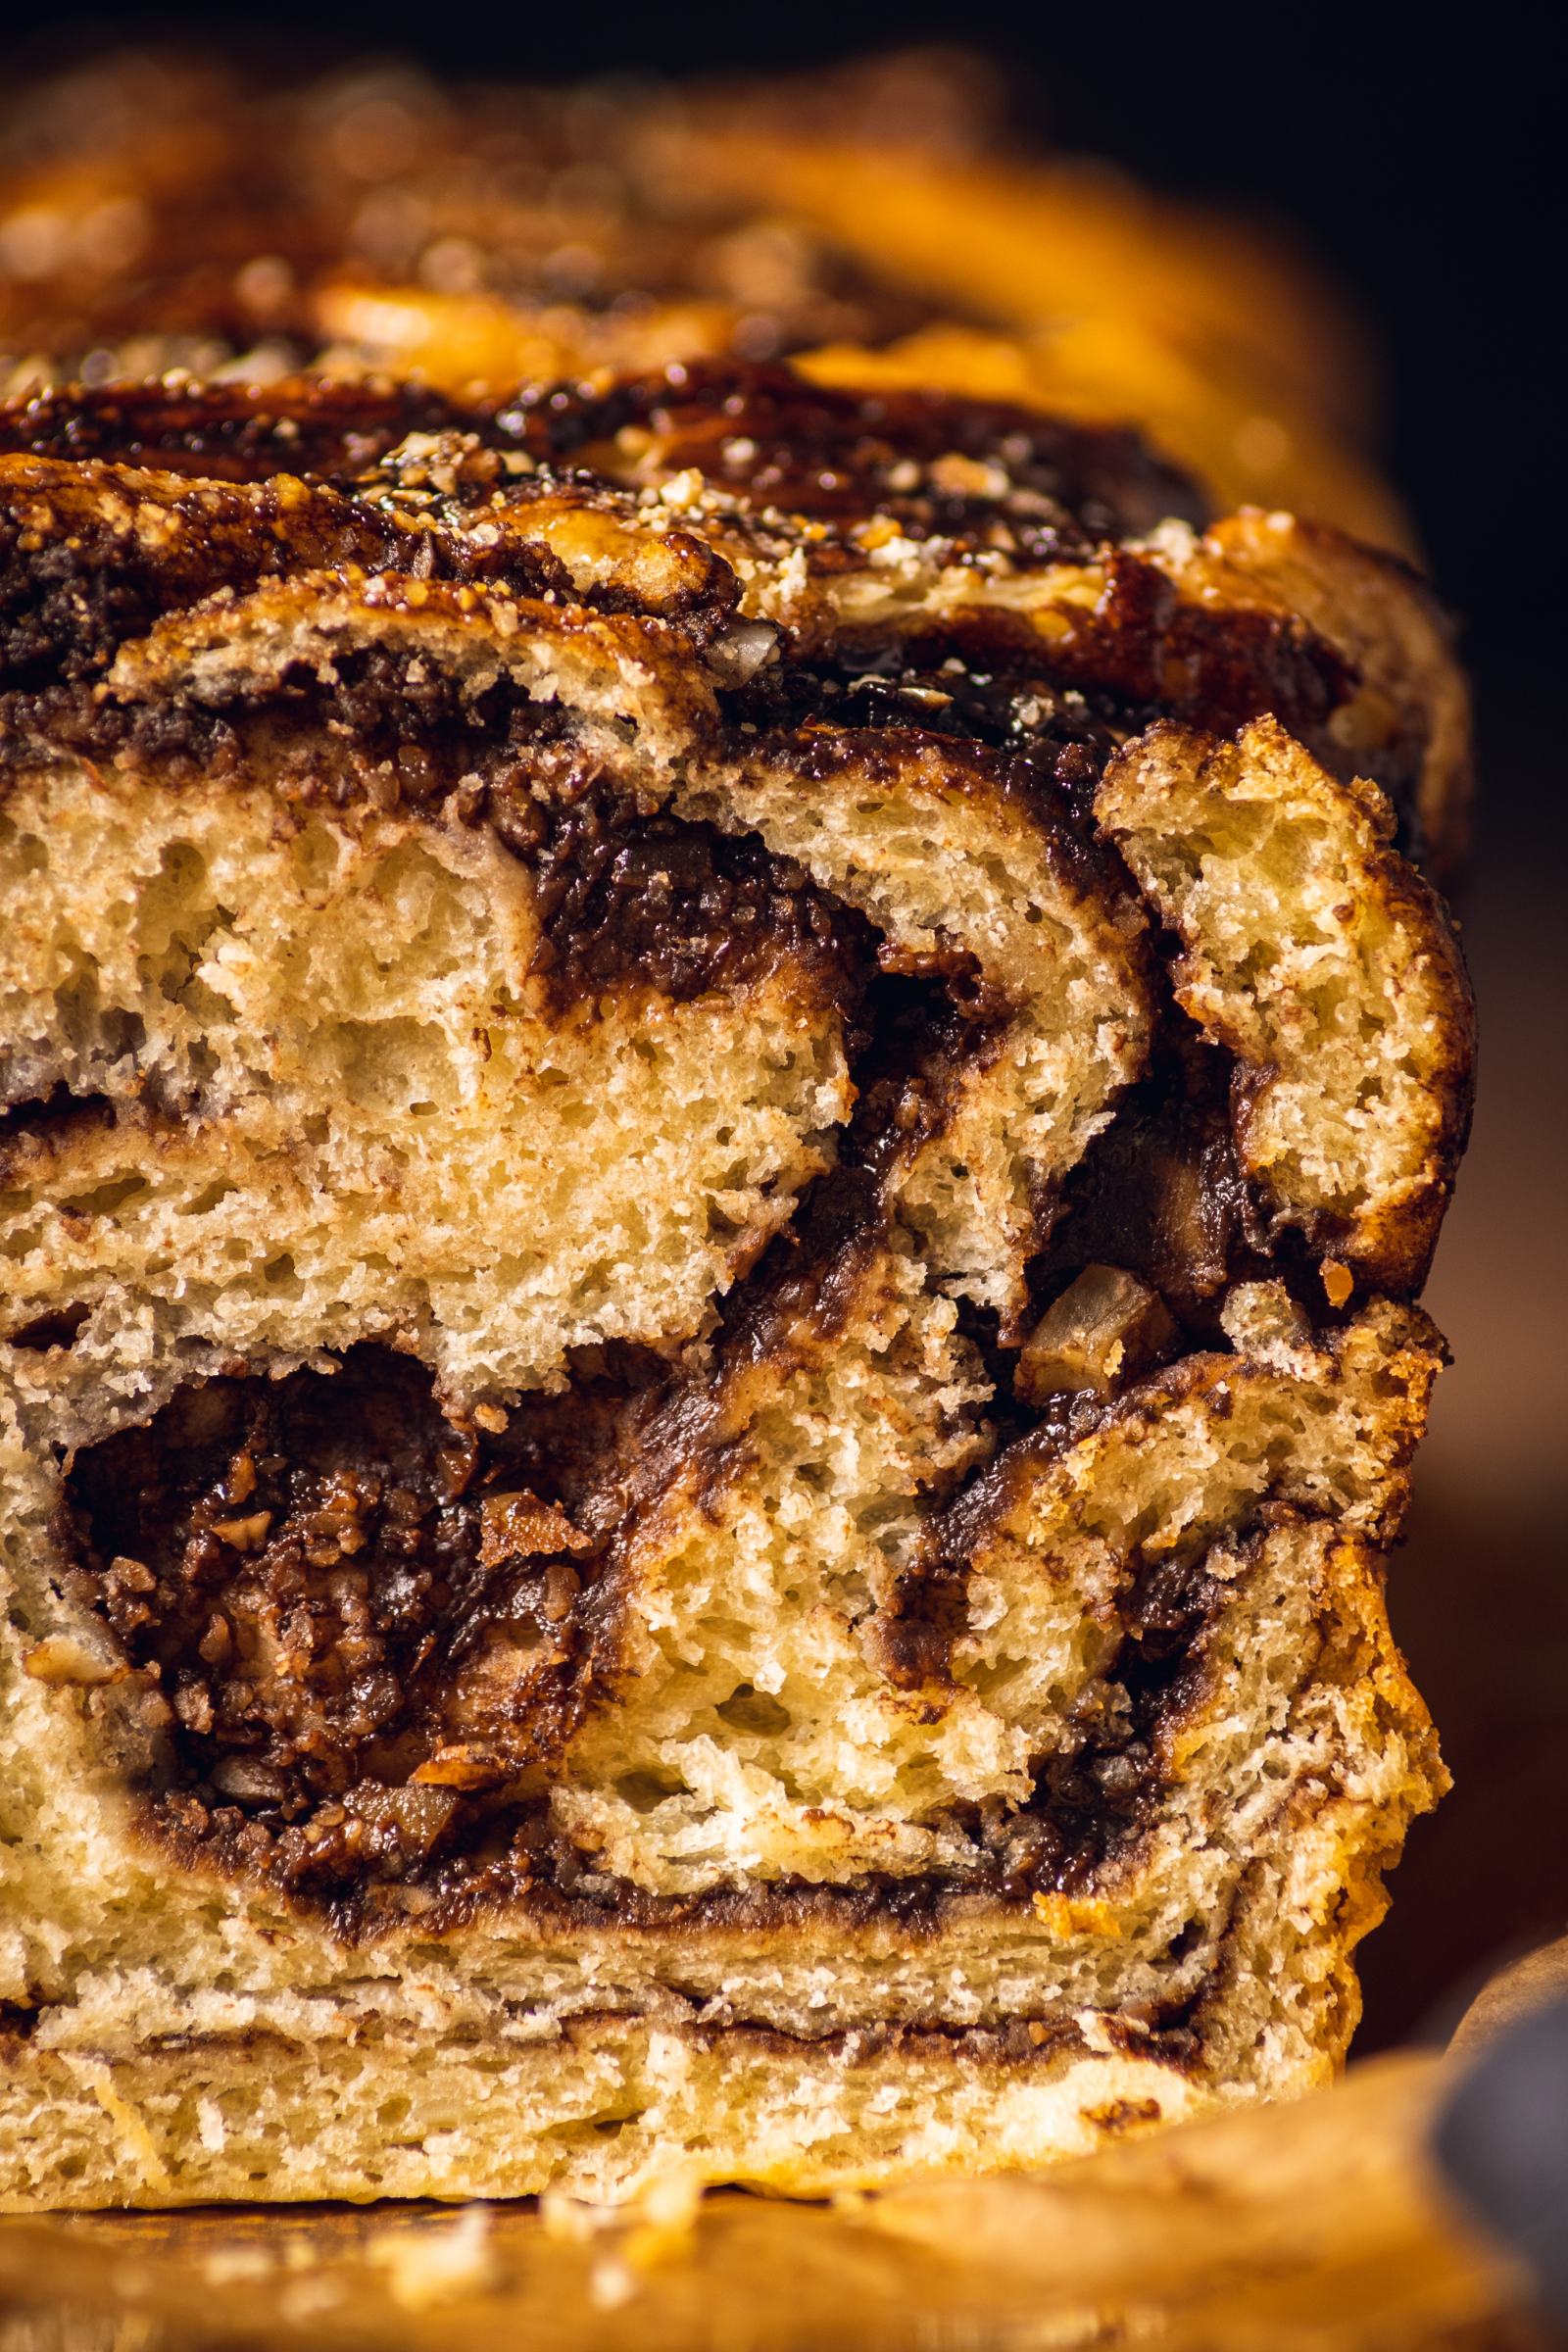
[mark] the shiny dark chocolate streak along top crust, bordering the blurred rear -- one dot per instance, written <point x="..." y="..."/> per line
<point x="760" y="432"/>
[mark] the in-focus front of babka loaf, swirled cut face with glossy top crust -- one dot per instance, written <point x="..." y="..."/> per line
<point x="721" y="1114"/>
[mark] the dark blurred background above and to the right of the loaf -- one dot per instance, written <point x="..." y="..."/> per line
<point x="1423" y="168"/>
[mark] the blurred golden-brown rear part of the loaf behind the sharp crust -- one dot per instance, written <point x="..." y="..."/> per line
<point x="878" y="222"/>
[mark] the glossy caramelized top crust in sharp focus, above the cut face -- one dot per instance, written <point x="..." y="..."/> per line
<point x="887" y="535"/>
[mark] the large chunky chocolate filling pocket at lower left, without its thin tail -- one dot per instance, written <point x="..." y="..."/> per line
<point x="361" y="1617"/>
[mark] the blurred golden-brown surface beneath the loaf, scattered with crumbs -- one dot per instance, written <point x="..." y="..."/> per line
<point x="1275" y="2231"/>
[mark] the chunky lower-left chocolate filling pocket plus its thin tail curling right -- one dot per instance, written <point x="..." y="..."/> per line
<point x="366" y="1636"/>
